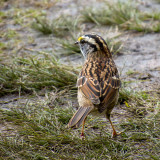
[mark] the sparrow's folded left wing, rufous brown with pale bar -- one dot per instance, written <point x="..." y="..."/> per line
<point x="90" y="88"/>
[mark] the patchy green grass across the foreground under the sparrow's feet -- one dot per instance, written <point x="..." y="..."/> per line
<point x="42" y="133"/>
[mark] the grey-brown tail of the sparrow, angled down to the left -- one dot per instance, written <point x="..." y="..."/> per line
<point x="79" y="117"/>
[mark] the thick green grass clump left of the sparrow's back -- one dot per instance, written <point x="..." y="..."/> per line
<point x="28" y="74"/>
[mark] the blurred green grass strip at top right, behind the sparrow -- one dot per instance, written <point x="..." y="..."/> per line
<point x="124" y="14"/>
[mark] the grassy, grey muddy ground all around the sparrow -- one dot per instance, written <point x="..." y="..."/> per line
<point x="39" y="66"/>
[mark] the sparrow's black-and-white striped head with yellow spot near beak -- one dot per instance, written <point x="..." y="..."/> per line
<point x="91" y="43"/>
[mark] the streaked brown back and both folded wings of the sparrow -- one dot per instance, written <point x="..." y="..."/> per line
<point x="100" y="87"/>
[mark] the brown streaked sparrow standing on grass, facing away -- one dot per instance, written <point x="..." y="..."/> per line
<point x="98" y="82"/>
